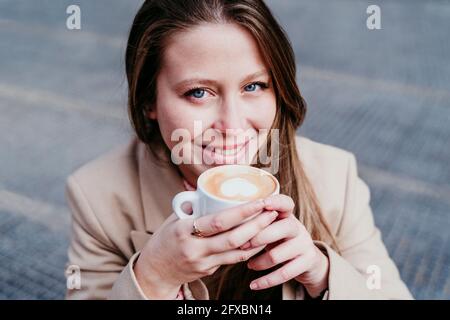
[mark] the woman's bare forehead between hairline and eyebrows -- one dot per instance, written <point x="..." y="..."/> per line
<point x="212" y="50"/>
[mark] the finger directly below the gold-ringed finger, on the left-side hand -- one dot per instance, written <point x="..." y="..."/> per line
<point x="238" y="236"/>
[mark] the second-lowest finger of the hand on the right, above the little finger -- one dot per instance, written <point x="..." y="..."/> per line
<point x="284" y="252"/>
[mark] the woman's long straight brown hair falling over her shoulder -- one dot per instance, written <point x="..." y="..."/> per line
<point x="155" y="22"/>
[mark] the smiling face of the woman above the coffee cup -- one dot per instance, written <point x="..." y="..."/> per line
<point x="213" y="85"/>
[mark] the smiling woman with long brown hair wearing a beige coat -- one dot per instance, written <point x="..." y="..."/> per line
<point x="229" y="65"/>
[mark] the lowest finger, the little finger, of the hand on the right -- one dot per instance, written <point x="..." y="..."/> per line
<point x="287" y="272"/>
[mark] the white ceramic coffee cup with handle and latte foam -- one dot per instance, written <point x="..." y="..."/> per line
<point x="204" y="202"/>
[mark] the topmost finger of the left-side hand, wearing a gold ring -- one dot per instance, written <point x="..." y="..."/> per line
<point x="229" y="218"/>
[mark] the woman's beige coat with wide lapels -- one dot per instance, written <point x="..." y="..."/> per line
<point x="118" y="200"/>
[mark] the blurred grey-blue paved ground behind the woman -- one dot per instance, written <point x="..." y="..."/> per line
<point x="383" y="94"/>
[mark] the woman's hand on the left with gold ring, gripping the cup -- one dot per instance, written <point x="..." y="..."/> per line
<point x="174" y="256"/>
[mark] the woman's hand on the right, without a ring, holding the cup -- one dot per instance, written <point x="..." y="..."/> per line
<point x="289" y="245"/>
